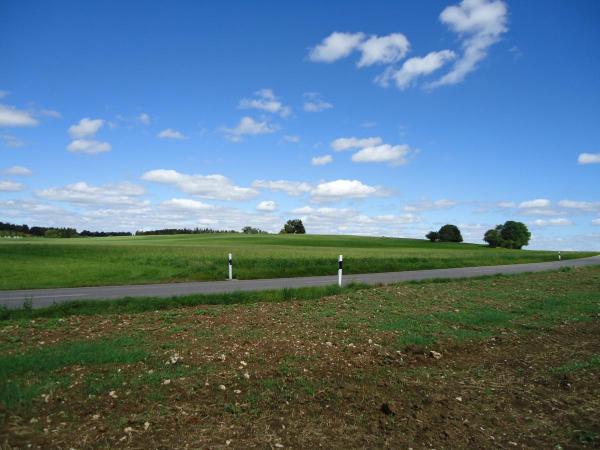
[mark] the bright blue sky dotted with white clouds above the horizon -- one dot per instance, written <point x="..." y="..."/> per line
<point x="379" y="118"/>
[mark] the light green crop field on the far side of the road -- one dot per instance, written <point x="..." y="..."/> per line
<point x="42" y="262"/>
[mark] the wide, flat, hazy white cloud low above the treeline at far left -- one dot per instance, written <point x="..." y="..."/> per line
<point x="120" y="194"/>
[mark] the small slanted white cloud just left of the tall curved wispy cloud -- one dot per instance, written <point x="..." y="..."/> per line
<point x="414" y="68"/>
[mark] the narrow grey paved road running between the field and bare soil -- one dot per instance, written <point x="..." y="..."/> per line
<point x="46" y="297"/>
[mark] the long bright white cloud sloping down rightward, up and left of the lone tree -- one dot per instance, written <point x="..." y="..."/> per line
<point x="216" y="186"/>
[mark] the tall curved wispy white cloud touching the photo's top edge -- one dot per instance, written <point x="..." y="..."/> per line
<point x="480" y="24"/>
